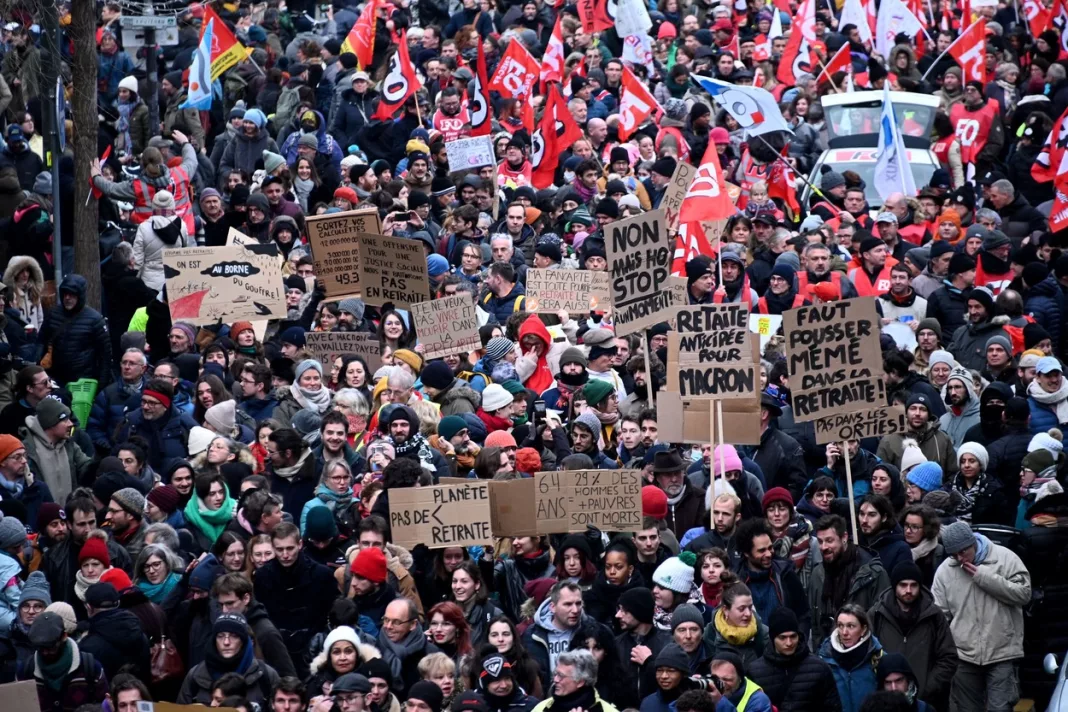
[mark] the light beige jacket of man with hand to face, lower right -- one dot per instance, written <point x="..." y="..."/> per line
<point x="986" y="610"/>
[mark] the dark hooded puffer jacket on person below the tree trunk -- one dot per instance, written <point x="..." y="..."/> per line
<point x="82" y="346"/>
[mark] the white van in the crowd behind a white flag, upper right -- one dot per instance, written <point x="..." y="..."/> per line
<point x="853" y="137"/>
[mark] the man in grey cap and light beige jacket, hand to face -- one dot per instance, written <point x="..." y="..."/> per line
<point x="983" y="589"/>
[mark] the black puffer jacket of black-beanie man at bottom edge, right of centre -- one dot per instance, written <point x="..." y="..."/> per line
<point x="795" y="684"/>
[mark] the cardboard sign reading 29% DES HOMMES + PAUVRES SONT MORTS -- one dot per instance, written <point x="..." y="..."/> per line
<point x="570" y="501"/>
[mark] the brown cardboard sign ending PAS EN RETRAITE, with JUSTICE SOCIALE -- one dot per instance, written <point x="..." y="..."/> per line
<point x="394" y="271"/>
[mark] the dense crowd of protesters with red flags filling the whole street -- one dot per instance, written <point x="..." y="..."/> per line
<point x="200" y="513"/>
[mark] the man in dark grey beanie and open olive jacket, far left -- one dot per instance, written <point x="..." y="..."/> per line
<point x="50" y="450"/>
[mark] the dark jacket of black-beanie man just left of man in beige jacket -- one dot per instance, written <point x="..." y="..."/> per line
<point x="926" y="642"/>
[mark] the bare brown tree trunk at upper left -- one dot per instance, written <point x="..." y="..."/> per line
<point x="87" y="232"/>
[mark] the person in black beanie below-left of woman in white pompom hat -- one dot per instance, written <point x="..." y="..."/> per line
<point x="640" y="641"/>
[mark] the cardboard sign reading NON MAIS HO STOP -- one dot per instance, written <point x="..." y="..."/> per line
<point x="639" y="260"/>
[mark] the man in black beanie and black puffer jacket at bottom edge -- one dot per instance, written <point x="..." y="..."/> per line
<point x="794" y="678"/>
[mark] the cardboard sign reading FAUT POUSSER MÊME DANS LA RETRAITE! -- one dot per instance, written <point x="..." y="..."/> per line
<point x="835" y="360"/>
